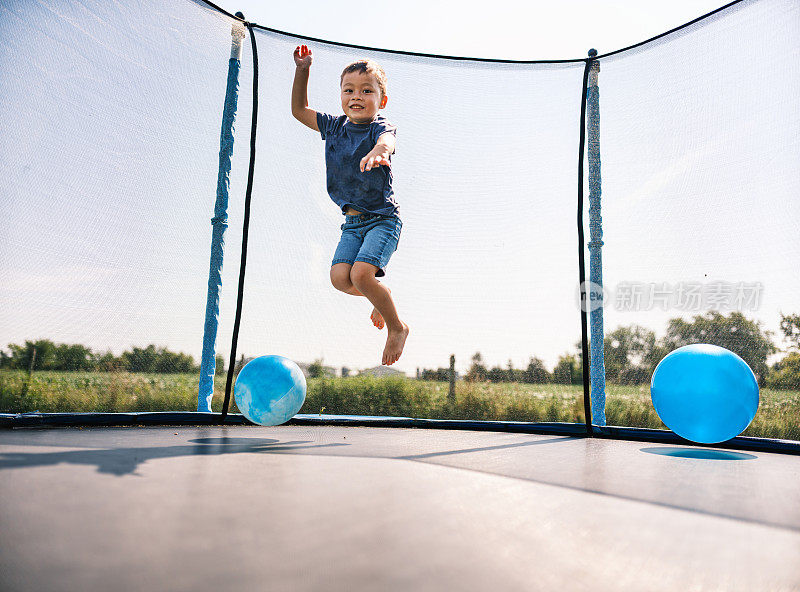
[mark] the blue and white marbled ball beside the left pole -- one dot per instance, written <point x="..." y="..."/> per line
<point x="270" y="390"/>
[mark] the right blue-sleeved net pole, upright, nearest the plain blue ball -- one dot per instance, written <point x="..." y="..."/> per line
<point x="597" y="372"/>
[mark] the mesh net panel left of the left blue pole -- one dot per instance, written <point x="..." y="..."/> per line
<point x="109" y="163"/>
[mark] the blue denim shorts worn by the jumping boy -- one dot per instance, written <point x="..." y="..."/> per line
<point x="370" y="238"/>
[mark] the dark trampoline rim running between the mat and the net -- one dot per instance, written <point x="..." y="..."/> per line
<point x="577" y="430"/>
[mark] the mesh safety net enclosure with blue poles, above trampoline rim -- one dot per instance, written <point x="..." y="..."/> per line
<point x="669" y="168"/>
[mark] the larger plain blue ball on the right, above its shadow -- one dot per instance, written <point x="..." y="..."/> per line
<point x="704" y="393"/>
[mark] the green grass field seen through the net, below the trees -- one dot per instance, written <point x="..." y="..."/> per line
<point x="778" y="415"/>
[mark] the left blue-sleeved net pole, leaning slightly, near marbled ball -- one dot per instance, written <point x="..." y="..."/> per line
<point x="218" y="224"/>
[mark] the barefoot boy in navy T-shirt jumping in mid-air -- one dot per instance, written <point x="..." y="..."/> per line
<point x="358" y="151"/>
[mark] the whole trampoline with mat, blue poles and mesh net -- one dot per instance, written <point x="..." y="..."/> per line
<point x="114" y="150"/>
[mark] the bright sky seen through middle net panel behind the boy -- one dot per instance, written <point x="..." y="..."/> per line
<point x="486" y="261"/>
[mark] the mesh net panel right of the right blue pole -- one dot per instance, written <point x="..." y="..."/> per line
<point x="698" y="142"/>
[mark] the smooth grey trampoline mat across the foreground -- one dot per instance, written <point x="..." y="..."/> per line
<point x="337" y="508"/>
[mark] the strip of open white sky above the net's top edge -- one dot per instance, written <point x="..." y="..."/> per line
<point x="526" y="30"/>
